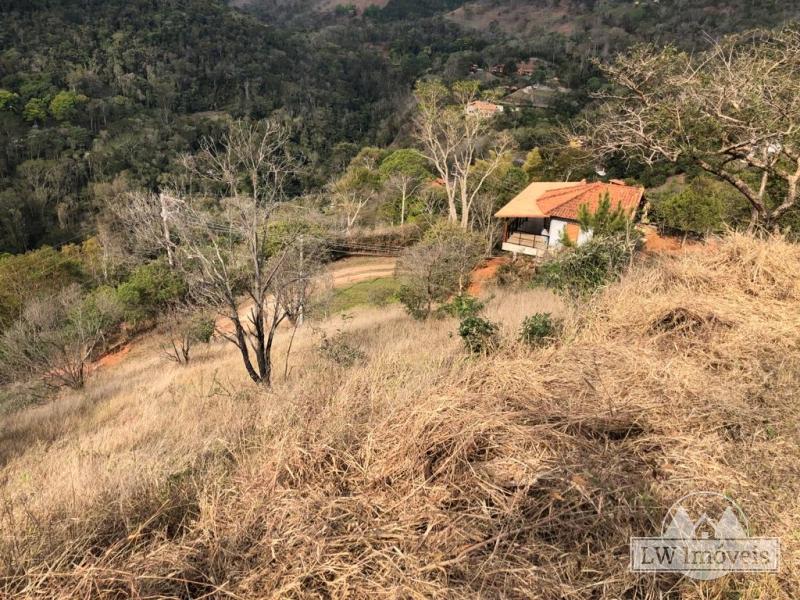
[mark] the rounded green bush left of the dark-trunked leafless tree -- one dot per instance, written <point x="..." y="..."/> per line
<point x="150" y="289"/>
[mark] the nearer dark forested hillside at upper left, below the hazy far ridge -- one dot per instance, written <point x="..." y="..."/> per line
<point x="95" y="92"/>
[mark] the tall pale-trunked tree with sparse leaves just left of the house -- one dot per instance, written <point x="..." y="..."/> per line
<point x="453" y="138"/>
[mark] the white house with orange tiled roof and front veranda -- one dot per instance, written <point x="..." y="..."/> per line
<point x="536" y="217"/>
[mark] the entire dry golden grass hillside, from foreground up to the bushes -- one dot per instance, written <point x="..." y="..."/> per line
<point x="418" y="472"/>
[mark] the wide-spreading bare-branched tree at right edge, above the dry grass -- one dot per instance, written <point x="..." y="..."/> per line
<point x="733" y="111"/>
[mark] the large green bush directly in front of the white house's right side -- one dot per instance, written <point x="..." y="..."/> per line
<point x="577" y="272"/>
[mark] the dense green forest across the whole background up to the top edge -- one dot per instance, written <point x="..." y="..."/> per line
<point x="101" y="96"/>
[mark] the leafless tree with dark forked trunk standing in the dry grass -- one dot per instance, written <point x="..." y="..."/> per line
<point x="224" y="250"/>
